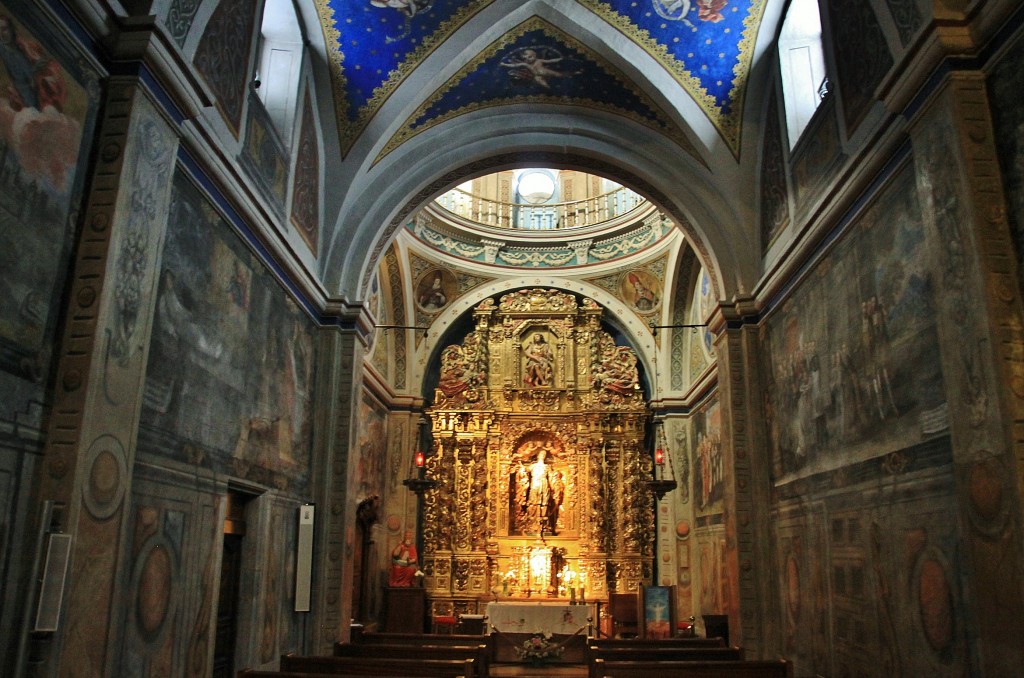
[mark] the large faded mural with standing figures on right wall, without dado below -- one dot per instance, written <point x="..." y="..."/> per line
<point x="851" y="368"/>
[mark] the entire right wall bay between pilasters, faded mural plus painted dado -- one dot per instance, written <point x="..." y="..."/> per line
<point x="868" y="532"/>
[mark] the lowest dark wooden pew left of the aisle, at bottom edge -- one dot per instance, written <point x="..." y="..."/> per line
<point x="380" y="666"/>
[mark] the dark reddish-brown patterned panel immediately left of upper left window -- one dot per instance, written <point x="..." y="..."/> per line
<point x="223" y="57"/>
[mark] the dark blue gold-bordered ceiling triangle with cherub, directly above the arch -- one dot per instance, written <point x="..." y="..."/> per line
<point x="537" y="64"/>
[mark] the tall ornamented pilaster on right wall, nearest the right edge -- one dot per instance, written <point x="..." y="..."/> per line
<point x="983" y="355"/>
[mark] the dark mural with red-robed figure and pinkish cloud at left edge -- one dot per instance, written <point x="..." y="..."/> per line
<point x="48" y="108"/>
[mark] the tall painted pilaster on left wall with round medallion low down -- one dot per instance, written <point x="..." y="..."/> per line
<point x="92" y="436"/>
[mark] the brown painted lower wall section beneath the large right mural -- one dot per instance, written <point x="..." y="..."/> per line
<point x="869" y="572"/>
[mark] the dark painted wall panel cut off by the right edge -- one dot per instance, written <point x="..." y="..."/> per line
<point x="1006" y="84"/>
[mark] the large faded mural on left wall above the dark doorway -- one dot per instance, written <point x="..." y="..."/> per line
<point x="230" y="377"/>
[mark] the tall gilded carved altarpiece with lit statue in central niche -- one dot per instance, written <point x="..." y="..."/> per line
<point x="538" y="429"/>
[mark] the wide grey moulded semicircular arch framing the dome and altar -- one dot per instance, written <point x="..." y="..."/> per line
<point x="710" y="222"/>
